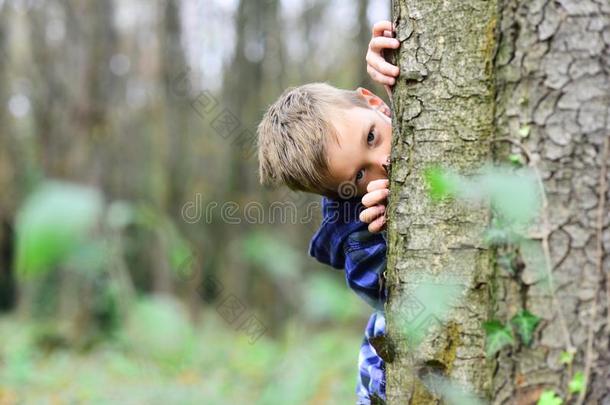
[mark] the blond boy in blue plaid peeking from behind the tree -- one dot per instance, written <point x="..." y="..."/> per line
<point x="336" y="143"/>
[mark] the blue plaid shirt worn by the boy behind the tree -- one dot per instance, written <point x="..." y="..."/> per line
<point x="344" y="242"/>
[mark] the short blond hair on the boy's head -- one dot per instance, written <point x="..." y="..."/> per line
<point x="293" y="135"/>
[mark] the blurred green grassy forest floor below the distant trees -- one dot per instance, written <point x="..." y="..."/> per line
<point x="178" y="364"/>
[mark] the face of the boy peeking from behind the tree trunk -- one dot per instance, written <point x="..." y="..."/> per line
<point x="365" y="138"/>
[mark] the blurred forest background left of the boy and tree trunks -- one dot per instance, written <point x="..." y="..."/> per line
<point x="126" y="130"/>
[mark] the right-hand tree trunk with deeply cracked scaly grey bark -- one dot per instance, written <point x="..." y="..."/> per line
<point x="552" y="84"/>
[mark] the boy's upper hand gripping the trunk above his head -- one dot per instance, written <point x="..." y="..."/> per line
<point x="376" y="65"/>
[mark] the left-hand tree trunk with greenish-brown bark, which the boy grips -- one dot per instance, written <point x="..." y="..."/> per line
<point x="443" y="112"/>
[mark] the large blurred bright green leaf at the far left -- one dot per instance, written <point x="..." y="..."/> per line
<point x="53" y="223"/>
